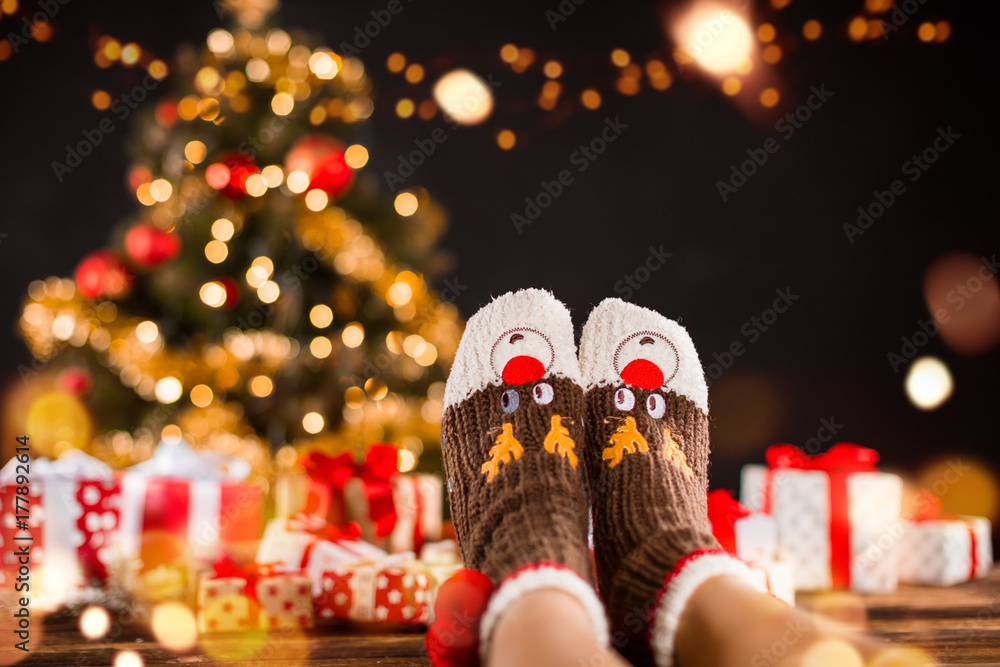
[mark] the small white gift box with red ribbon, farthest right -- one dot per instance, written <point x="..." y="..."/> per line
<point x="939" y="549"/>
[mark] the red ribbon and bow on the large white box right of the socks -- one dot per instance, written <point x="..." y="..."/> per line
<point x="838" y="462"/>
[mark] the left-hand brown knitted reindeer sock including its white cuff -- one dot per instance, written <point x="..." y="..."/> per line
<point x="512" y="435"/>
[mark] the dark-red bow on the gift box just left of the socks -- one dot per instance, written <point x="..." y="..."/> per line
<point x="376" y="473"/>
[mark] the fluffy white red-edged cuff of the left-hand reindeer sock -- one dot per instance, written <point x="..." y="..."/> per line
<point x="533" y="577"/>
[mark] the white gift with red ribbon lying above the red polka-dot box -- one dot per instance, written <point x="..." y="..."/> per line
<point x="307" y="543"/>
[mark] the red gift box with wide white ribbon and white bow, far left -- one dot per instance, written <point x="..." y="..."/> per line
<point x="199" y="496"/>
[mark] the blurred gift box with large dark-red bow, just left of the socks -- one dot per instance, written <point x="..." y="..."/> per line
<point x="398" y="512"/>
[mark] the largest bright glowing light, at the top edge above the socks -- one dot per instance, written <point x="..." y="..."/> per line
<point x="714" y="36"/>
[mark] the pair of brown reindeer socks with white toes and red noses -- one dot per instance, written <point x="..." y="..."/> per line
<point x="528" y="427"/>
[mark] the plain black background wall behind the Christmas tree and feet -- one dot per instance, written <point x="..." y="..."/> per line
<point x="825" y="358"/>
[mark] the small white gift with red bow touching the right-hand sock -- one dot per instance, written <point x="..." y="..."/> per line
<point x="751" y="536"/>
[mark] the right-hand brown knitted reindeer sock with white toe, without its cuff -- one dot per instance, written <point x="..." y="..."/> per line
<point x="647" y="461"/>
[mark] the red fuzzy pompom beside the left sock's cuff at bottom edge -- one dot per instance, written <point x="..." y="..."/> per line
<point x="452" y="640"/>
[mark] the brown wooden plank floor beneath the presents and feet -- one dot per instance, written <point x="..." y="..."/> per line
<point x="957" y="626"/>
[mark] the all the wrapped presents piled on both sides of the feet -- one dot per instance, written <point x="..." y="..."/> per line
<point x="359" y="541"/>
